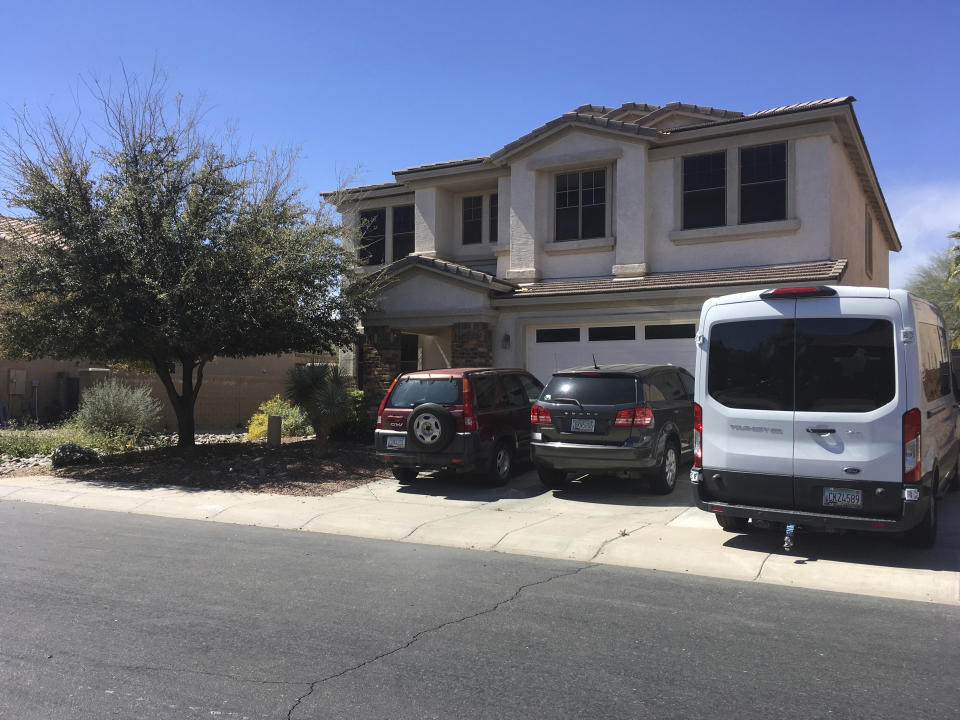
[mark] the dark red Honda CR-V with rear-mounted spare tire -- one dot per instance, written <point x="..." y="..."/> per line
<point x="468" y="419"/>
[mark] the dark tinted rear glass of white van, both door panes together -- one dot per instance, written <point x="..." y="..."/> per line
<point x="827" y="364"/>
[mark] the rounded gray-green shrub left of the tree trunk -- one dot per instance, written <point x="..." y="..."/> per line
<point x="125" y="415"/>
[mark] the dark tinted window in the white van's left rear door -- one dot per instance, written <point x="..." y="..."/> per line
<point x="751" y="364"/>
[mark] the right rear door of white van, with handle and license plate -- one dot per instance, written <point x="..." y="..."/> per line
<point x="848" y="422"/>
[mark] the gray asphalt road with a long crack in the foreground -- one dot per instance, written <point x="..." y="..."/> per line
<point x="108" y="615"/>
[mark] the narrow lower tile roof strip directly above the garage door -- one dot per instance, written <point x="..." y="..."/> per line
<point x="822" y="271"/>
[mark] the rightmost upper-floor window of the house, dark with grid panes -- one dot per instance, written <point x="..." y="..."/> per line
<point x="763" y="183"/>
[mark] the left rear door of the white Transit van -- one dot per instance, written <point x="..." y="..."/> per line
<point x="748" y="402"/>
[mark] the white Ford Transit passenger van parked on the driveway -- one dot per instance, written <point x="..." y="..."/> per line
<point x="824" y="407"/>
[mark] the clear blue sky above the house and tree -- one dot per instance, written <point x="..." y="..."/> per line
<point x="385" y="85"/>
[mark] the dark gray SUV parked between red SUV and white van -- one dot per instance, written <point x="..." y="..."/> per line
<point x="632" y="421"/>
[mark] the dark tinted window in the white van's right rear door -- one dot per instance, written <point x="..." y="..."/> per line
<point x="844" y="364"/>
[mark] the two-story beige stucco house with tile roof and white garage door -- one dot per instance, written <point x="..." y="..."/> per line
<point x="601" y="233"/>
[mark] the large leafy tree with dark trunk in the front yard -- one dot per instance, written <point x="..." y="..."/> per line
<point x="160" y="243"/>
